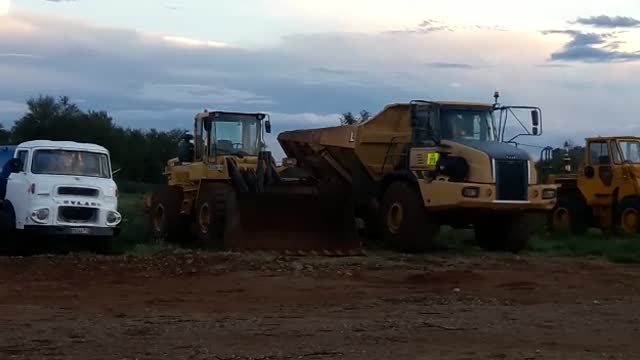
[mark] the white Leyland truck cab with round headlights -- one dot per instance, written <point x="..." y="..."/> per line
<point x="63" y="188"/>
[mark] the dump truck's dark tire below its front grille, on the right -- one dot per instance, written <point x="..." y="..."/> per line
<point x="509" y="233"/>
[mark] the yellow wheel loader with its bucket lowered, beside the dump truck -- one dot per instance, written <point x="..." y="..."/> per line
<point x="224" y="191"/>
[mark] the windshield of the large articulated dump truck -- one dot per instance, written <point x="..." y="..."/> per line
<point x="468" y="124"/>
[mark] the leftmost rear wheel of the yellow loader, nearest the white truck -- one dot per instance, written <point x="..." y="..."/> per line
<point x="165" y="221"/>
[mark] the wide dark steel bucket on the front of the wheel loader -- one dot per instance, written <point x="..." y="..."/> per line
<point x="292" y="223"/>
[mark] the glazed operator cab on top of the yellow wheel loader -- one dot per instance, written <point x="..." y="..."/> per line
<point x="220" y="133"/>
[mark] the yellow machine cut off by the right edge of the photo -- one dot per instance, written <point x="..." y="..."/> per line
<point x="605" y="191"/>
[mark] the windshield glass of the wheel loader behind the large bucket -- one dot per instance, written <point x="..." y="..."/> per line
<point x="236" y="133"/>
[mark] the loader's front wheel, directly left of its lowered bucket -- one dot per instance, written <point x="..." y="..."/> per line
<point x="210" y="214"/>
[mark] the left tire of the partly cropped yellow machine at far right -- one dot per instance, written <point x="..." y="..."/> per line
<point x="570" y="215"/>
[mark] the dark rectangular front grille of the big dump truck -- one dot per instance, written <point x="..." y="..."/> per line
<point x="512" y="180"/>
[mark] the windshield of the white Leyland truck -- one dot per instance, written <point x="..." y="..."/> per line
<point x="70" y="162"/>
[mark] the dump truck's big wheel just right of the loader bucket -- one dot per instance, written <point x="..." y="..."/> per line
<point x="405" y="223"/>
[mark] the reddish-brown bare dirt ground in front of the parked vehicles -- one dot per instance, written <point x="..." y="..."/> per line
<point x="191" y="306"/>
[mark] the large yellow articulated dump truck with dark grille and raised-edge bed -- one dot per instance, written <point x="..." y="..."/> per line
<point x="419" y="165"/>
